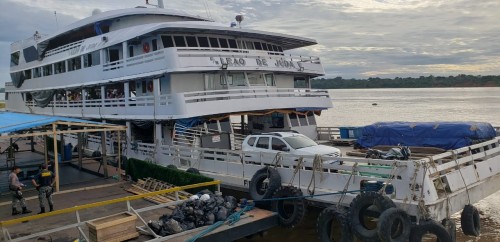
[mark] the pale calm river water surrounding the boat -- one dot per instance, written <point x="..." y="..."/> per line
<point x="358" y="107"/>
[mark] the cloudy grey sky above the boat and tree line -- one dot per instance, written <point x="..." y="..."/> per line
<point x="356" y="38"/>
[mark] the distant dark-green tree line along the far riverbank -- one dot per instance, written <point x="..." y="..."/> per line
<point x="408" y="82"/>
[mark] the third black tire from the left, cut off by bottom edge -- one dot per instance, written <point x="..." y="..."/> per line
<point x="324" y="224"/>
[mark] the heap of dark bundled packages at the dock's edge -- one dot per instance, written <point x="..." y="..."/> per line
<point x="202" y="209"/>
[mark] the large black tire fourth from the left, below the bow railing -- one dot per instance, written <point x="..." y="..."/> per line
<point x="358" y="208"/>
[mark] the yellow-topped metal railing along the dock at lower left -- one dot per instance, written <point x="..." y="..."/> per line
<point x="76" y="209"/>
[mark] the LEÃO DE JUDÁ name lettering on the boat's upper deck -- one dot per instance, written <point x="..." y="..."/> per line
<point x="279" y="63"/>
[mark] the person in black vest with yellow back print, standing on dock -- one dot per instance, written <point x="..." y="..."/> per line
<point x="44" y="182"/>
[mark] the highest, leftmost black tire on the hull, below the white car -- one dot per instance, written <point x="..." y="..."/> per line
<point x="259" y="177"/>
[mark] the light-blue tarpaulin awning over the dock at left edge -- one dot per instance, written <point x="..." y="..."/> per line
<point x="12" y="122"/>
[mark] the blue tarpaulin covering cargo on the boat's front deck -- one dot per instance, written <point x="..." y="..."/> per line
<point x="445" y="135"/>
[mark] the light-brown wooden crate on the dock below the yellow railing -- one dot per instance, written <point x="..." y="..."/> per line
<point x="113" y="228"/>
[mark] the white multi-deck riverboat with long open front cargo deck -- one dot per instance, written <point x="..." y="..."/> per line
<point x="178" y="82"/>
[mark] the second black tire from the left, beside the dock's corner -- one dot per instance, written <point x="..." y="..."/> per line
<point x="299" y="206"/>
